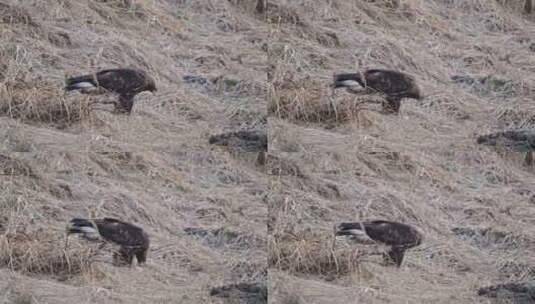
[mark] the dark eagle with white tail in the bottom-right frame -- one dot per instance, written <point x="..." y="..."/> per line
<point x="397" y="235"/>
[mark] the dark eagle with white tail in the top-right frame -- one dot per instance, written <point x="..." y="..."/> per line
<point x="395" y="85"/>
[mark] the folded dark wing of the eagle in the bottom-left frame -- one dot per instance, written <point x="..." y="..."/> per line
<point x="120" y="233"/>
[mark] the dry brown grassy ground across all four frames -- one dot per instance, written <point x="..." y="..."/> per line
<point x="332" y="158"/>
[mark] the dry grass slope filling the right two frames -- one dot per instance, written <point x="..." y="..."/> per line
<point x="340" y="161"/>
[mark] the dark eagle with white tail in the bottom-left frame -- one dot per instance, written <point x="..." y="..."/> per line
<point x="132" y="240"/>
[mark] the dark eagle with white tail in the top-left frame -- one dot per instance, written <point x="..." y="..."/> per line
<point x="125" y="82"/>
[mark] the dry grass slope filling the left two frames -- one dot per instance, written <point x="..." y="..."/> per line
<point x="62" y="156"/>
